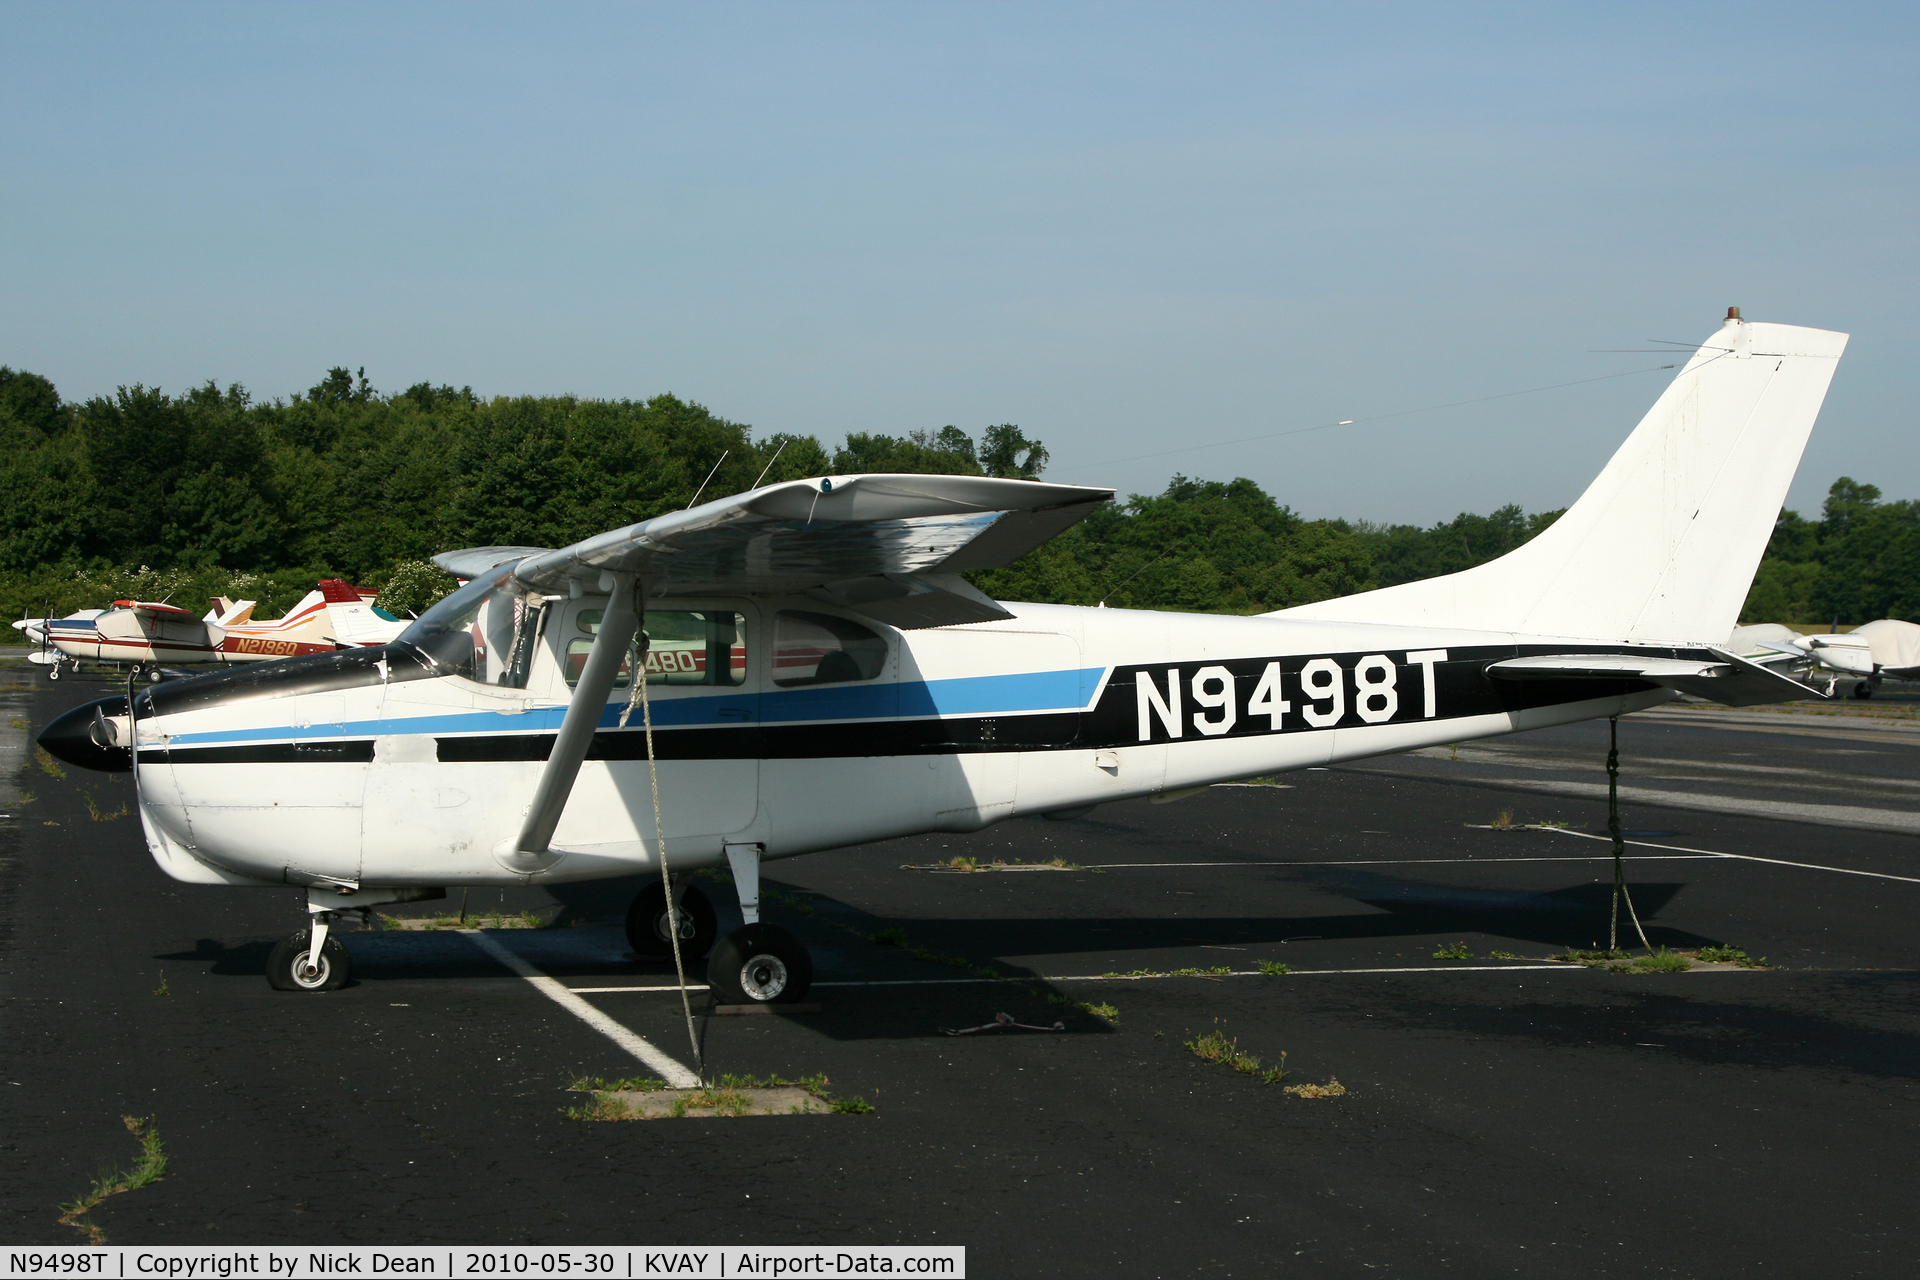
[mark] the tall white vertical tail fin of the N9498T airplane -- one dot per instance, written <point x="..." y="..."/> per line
<point x="1664" y="544"/>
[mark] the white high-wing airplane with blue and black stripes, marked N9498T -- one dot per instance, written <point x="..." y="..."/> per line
<point x="817" y="675"/>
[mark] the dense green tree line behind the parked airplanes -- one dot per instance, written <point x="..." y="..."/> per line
<point x="208" y="492"/>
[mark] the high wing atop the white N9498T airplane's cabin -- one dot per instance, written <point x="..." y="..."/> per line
<point x="886" y="546"/>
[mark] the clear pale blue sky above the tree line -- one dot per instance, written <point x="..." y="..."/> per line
<point x="1130" y="229"/>
